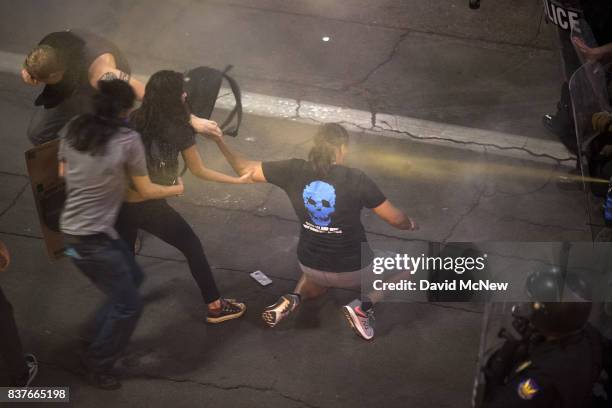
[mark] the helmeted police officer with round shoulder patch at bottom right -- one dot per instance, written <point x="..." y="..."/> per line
<point x="557" y="358"/>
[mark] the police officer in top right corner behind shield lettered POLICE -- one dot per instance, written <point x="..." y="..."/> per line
<point x="565" y="15"/>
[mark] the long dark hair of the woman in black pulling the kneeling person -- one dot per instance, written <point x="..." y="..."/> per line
<point x="161" y="106"/>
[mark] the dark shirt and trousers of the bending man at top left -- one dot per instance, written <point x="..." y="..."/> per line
<point x="58" y="103"/>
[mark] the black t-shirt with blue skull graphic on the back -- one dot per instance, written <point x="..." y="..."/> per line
<point x="329" y="210"/>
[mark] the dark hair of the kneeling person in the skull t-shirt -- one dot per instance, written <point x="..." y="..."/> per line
<point x="329" y="138"/>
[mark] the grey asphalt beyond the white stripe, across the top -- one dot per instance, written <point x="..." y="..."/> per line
<point x="495" y="68"/>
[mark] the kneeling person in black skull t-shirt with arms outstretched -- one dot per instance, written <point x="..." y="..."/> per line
<point x="327" y="198"/>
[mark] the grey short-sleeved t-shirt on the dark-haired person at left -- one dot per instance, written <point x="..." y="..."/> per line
<point x="96" y="185"/>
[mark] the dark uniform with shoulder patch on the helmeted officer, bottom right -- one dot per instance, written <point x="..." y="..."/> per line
<point x="555" y="374"/>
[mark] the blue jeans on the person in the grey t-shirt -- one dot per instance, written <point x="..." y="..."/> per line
<point x="111" y="267"/>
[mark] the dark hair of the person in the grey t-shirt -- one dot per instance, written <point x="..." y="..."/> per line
<point x="90" y="132"/>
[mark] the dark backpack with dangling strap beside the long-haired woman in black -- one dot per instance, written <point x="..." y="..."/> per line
<point x="202" y="85"/>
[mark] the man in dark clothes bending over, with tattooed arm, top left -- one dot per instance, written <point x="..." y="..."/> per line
<point x="69" y="64"/>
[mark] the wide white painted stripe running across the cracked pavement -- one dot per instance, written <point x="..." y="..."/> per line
<point x="394" y="126"/>
